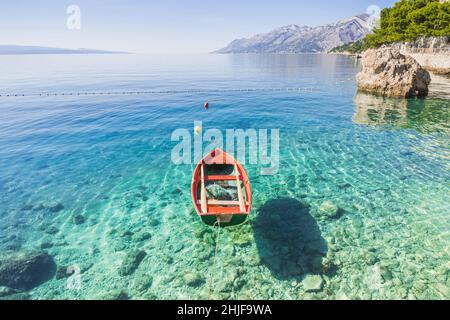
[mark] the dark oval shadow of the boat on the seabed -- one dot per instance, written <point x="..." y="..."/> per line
<point x="288" y="239"/>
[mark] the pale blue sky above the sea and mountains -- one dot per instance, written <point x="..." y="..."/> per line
<point x="163" y="26"/>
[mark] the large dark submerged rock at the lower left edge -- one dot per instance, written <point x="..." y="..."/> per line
<point x="24" y="270"/>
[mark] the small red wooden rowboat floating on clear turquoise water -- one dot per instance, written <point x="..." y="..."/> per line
<point x="221" y="190"/>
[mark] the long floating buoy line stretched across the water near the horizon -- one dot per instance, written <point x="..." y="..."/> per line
<point x="148" y="92"/>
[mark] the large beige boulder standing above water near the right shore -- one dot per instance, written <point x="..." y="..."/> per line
<point x="387" y="72"/>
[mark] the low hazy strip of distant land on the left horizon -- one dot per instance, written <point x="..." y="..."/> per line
<point x="14" y="50"/>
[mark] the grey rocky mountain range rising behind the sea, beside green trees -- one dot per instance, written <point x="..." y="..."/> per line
<point x="304" y="39"/>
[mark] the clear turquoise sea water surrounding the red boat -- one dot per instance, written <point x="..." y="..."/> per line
<point x="383" y="162"/>
